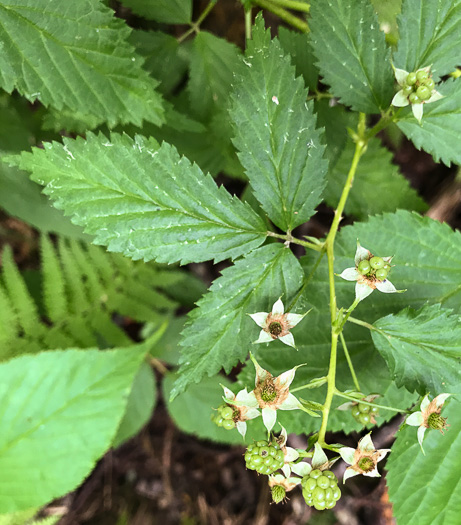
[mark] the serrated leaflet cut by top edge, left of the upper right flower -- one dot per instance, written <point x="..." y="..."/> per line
<point x="352" y="53"/>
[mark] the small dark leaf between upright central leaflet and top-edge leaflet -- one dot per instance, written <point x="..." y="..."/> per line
<point x="298" y="46"/>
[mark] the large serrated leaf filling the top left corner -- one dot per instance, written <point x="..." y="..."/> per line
<point x="76" y="57"/>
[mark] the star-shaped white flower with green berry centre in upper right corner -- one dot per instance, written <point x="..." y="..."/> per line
<point x="404" y="97"/>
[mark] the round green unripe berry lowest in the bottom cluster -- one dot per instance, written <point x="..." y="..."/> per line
<point x="320" y="489"/>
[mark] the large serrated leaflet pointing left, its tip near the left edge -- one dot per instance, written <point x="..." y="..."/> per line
<point x="144" y="201"/>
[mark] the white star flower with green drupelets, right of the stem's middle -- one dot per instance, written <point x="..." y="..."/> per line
<point x="370" y="281"/>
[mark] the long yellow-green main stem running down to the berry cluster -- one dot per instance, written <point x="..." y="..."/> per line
<point x="359" y="149"/>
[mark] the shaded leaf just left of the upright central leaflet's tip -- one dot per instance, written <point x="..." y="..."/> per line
<point x="212" y="64"/>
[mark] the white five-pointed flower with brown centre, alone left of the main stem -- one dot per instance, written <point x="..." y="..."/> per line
<point x="276" y="324"/>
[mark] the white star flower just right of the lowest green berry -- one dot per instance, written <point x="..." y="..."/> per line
<point x="363" y="460"/>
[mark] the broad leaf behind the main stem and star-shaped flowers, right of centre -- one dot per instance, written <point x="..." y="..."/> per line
<point x="427" y="262"/>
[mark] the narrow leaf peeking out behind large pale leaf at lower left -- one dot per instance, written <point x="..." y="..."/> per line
<point x="139" y="407"/>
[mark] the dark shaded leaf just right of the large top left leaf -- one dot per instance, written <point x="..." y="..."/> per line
<point x="163" y="59"/>
